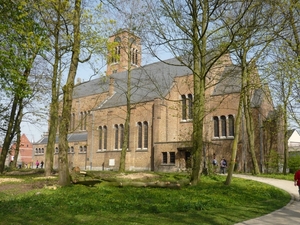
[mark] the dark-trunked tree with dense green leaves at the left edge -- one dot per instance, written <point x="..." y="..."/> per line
<point x="22" y="39"/>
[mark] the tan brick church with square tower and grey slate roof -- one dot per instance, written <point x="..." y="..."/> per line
<point x="161" y="115"/>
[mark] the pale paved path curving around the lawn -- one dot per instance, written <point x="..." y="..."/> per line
<point x="290" y="214"/>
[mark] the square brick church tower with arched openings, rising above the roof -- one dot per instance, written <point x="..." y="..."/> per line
<point x="124" y="52"/>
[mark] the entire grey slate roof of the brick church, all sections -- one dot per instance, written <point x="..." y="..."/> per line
<point x="154" y="81"/>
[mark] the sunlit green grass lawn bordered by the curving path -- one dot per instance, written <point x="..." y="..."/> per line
<point x="211" y="202"/>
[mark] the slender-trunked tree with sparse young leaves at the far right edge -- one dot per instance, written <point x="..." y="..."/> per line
<point x="284" y="64"/>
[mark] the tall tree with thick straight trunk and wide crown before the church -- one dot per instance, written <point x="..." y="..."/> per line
<point x="198" y="33"/>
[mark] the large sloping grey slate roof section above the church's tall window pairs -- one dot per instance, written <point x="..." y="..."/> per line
<point x="147" y="82"/>
